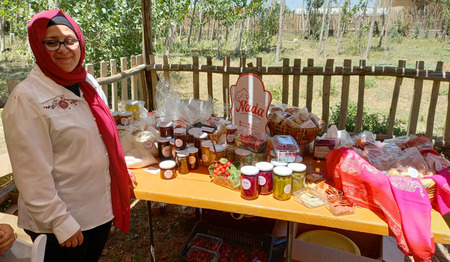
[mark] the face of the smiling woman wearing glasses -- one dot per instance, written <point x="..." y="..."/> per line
<point x="64" y="58"/>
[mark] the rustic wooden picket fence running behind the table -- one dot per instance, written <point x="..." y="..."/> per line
<point x="295" y="72"/>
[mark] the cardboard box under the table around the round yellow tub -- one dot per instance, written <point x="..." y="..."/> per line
<point x="374" y="248"/>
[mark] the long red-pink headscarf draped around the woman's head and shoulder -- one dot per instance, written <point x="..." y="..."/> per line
<point x="120" y="180"/>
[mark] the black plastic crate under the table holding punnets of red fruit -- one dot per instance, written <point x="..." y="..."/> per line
<point x="241" y="240"/>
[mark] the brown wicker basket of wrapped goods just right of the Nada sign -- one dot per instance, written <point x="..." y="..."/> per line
<point x="301" y="135"/>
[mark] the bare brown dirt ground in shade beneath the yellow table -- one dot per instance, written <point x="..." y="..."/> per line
<point x="171" y="230"/>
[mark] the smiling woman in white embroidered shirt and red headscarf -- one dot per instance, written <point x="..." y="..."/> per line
<point x="64" y="148"/>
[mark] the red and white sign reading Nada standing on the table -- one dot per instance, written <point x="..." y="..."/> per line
<point x="250" y="103"/>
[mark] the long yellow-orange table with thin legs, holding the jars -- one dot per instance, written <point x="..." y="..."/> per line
<point x="196" y="190"/>
